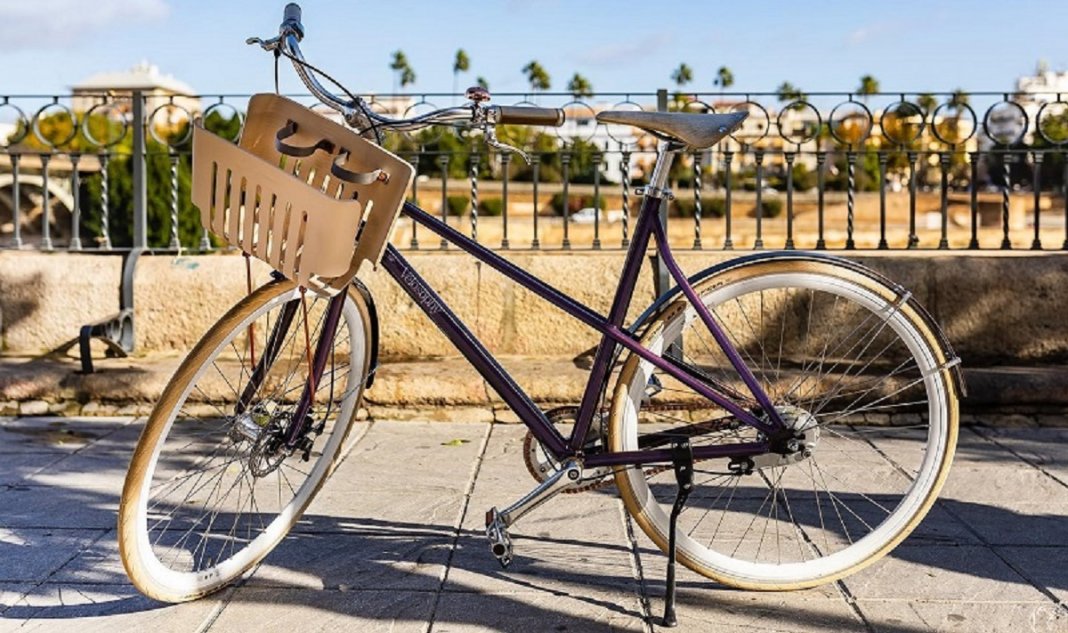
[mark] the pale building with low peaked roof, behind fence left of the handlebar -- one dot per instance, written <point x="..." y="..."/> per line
<point x="158" y="88"/>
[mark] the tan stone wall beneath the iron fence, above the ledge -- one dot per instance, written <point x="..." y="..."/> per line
<point x="998" y="309"/>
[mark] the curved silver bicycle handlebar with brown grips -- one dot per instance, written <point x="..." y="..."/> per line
<point x="359" y="116"/>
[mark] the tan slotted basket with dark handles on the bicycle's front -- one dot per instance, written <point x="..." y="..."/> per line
<point x="308" y="196"/>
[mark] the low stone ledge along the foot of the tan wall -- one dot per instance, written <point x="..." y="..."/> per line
<point x="450" y="390"/>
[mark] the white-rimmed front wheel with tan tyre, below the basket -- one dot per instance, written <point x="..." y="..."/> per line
<point x="212" y="489"/>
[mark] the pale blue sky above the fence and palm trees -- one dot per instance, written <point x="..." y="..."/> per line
<point x="909" y="45"/>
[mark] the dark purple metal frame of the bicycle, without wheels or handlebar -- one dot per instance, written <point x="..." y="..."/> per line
<point x="612" y="335"/>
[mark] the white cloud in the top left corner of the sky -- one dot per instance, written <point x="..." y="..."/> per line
<point x="59" y="24"/>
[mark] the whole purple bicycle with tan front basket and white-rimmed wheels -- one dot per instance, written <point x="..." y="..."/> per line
<point x="749" y="395"/>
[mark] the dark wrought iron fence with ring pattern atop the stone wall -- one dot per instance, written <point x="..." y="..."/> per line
<point x="836" y="171"/>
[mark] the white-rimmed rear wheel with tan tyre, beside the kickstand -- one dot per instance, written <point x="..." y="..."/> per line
<point x="851" y="367"/>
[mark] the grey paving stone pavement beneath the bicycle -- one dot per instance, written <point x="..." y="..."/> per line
<point x="397" y="545"/>
